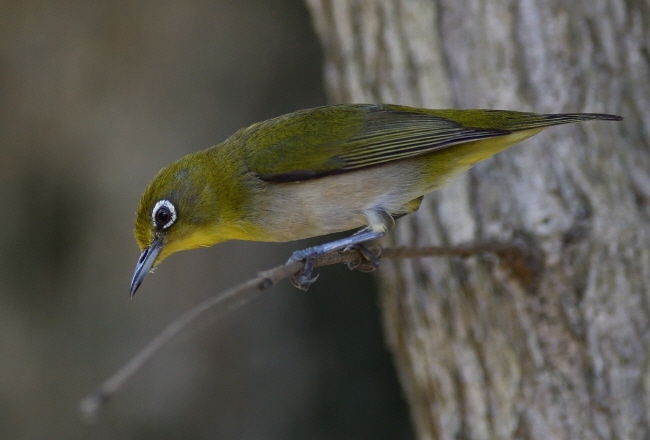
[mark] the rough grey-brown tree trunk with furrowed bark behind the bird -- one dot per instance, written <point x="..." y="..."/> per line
<point x="481" y="352"/>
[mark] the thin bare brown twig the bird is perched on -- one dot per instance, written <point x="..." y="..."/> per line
<point x="244" y="292"/>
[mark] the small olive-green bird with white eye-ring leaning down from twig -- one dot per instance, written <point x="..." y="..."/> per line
<point x="318" y="171"/>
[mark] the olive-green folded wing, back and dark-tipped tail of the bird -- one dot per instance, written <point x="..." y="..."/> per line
<point x="329" y="140"/>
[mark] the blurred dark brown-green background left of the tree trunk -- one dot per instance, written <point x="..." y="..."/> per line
<point x="96" y="97"/>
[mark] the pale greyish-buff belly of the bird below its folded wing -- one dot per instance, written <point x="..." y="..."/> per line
<point x="339" y="202"/>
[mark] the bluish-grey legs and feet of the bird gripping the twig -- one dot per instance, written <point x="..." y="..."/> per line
<point x="379" y="223"/>
